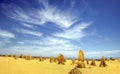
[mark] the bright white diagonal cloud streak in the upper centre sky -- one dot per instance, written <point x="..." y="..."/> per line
<point x="55" y="15"/>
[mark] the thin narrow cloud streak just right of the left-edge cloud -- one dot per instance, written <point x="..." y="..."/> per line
<point x="30" y="32"/>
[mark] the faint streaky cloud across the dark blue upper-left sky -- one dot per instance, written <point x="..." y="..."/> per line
<point x="17" y="13"/>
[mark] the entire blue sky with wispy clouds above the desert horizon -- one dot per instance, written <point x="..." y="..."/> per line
<point x="50" y="27"/>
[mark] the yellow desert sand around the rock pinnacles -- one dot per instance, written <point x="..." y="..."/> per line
<point x="9" y="65"/>
